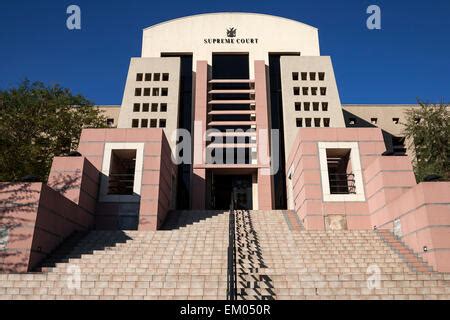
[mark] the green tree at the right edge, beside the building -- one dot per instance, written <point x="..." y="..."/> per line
<point x="427" y="129"/>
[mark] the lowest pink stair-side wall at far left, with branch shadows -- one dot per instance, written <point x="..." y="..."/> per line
<point x="39" y="219"/>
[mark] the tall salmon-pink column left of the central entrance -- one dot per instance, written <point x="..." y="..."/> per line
<point x="198" y="184"/>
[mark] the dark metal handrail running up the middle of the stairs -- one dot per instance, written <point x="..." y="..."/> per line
<point x="232" y="272"/>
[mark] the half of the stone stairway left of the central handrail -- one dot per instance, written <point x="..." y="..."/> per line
<point x="189" y="262"/>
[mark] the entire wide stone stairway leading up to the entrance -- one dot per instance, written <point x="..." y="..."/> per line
<point x="276" y="259"/>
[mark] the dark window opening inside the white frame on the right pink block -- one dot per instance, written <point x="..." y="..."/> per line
<point x="340" y="172"/>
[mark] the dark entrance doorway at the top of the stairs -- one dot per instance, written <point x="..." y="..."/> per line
<point x="223" y="186"/>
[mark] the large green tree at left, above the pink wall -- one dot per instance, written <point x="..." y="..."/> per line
<point x="37" y="123"/>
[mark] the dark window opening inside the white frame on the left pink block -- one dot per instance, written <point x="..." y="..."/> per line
<point x="121" y="172"/>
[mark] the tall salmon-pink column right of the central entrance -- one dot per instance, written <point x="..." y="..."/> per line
<point x="262" y="128"/>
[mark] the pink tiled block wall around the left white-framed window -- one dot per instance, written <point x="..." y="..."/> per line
<point x="158" y="169"/>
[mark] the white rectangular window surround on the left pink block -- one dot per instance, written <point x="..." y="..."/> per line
<point x="104" y="196"/>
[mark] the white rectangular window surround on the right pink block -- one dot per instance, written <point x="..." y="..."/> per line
<point x="356" y="169"/>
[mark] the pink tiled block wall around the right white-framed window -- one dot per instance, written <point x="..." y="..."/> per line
<point x="306" y="181"/>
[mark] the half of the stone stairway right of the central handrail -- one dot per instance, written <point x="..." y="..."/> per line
<point x="329" y="264"/>
